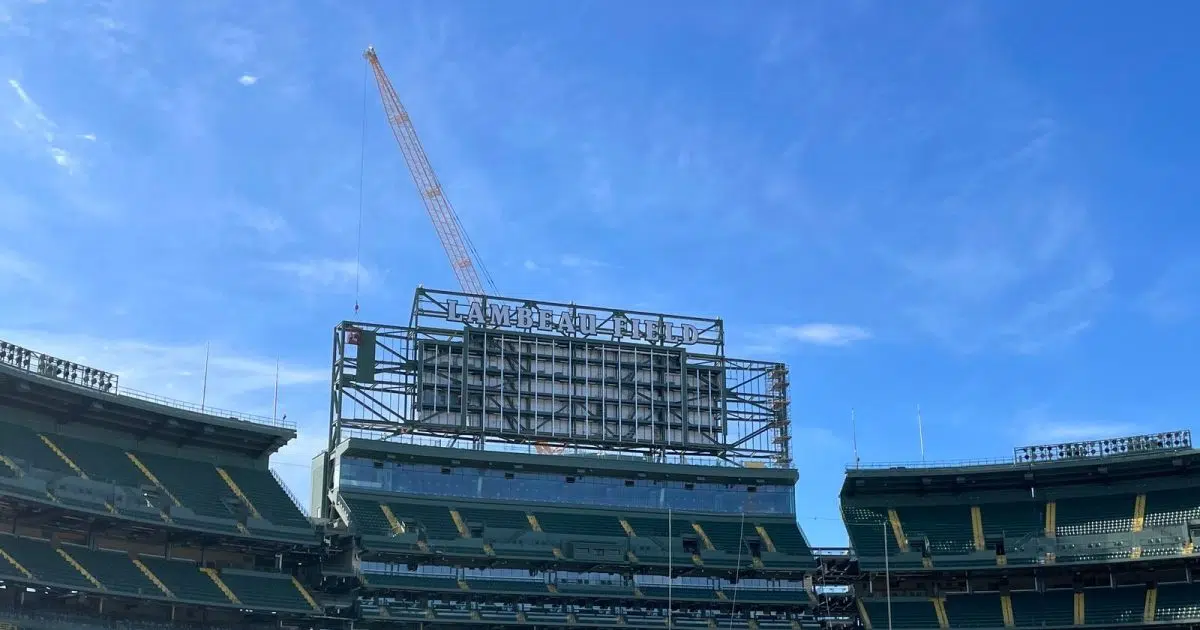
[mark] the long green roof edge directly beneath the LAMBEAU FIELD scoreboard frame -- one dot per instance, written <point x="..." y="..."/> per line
<point x="566" y="464"/>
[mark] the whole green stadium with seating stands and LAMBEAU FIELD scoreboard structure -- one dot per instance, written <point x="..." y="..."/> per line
<point x="500" y="464"/>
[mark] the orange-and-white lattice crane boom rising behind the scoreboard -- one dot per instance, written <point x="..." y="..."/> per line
<point x="458" y="245"/>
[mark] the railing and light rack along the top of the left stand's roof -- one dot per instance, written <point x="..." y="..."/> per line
<point x="107" y="383"/>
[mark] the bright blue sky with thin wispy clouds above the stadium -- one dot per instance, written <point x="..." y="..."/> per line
<point x="976" y="208"/>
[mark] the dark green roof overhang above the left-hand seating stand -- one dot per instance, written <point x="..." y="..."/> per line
<point x="49" y="395"/>
